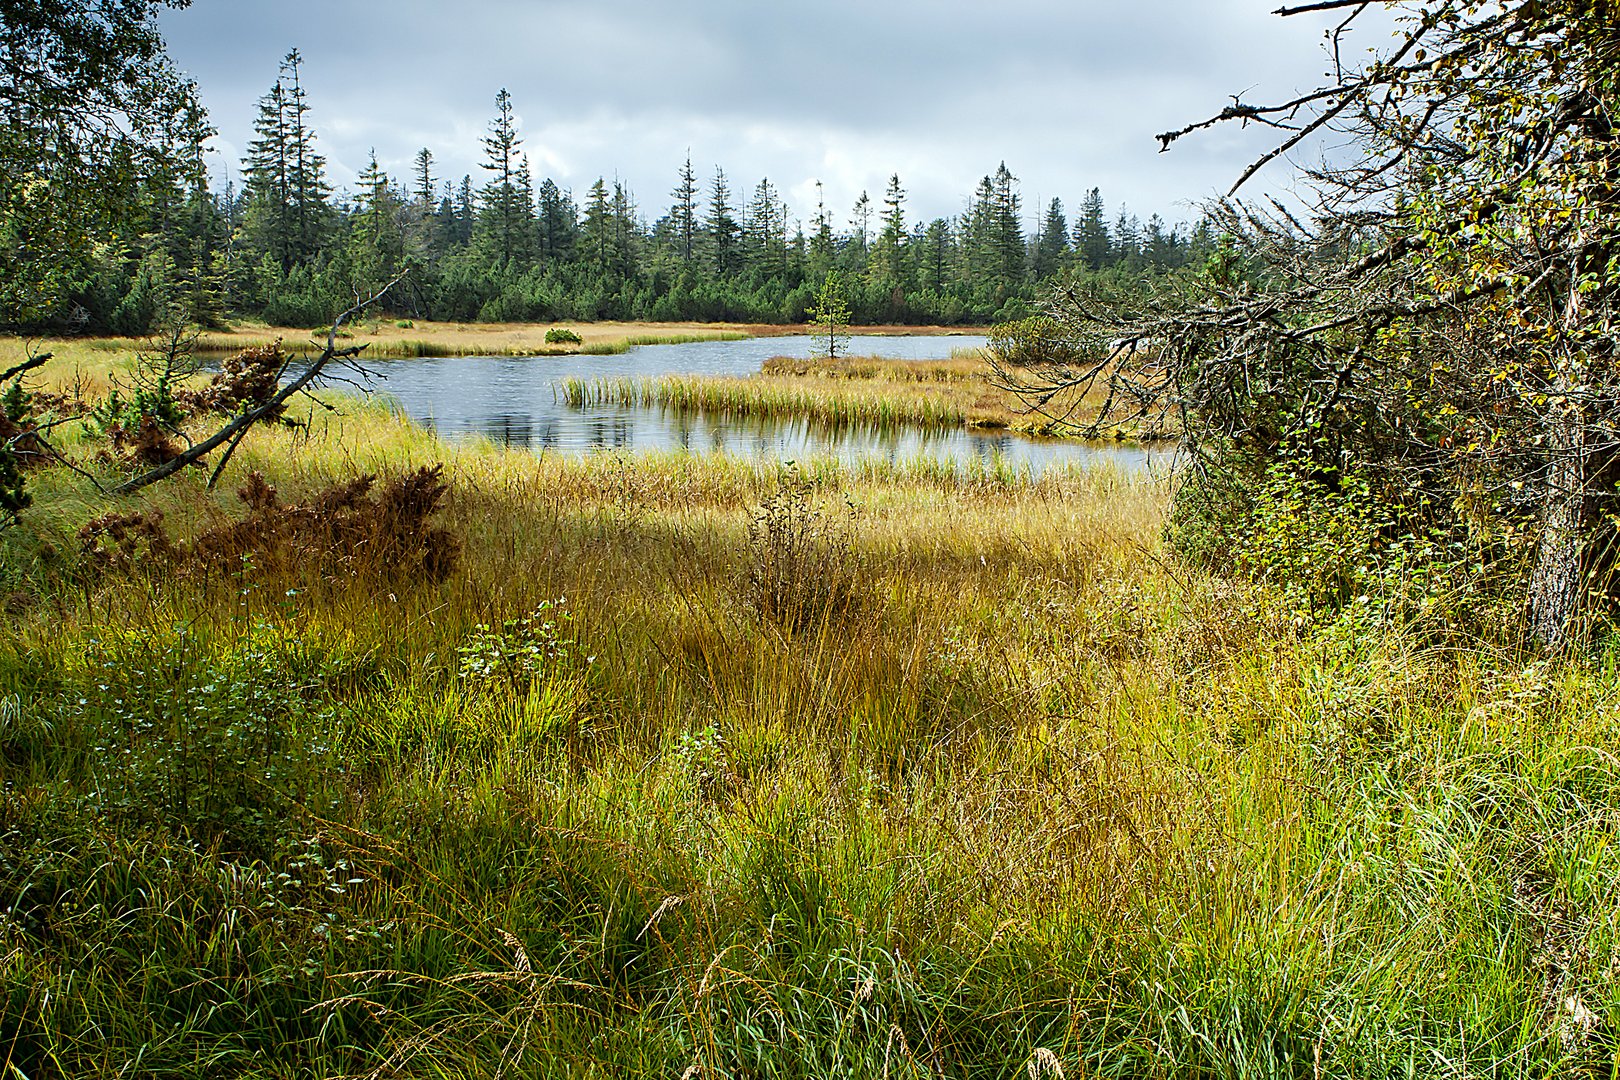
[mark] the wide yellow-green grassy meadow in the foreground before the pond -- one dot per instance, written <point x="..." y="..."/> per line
<point x="861" y="772"/>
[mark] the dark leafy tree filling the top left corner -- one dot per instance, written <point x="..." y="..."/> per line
<point x="101" y="134"/>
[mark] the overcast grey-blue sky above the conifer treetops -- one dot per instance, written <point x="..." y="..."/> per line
<point x="1068" y="93"/>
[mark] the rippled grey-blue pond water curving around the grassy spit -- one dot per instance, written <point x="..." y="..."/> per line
<point x="518" y="402"/>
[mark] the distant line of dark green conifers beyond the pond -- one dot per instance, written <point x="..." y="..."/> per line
<point x="286" y="249"/>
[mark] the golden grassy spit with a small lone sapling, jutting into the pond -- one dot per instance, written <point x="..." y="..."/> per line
<point x="850" y="391"/>
